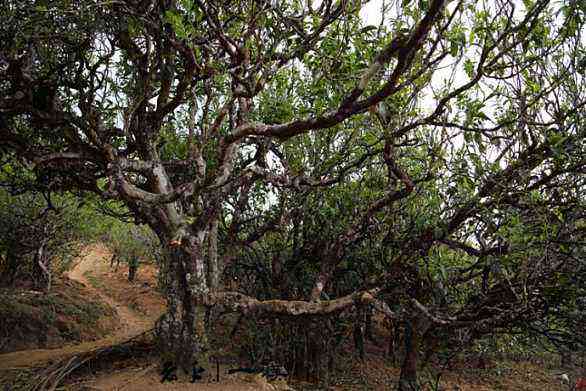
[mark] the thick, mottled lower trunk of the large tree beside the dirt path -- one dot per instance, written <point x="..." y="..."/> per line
<point x="181" y="330"/>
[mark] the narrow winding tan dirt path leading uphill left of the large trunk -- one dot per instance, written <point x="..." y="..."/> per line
<point x="131" y="323"/>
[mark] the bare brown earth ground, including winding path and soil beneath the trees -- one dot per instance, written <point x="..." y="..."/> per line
<point x="138" y="304"/>
